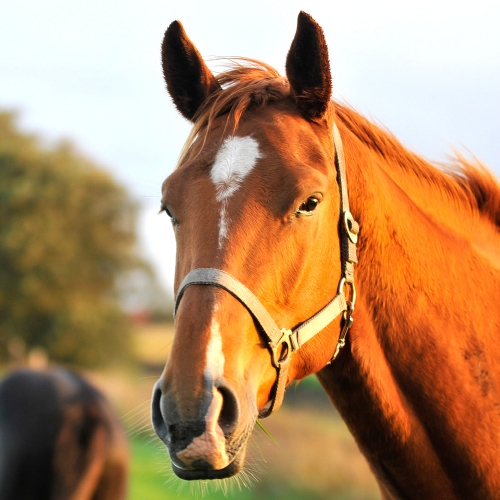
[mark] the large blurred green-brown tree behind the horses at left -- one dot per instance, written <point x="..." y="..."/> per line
<point x="67" y="234"/>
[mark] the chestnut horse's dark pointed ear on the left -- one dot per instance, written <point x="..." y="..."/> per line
<point x="189" y="81"/>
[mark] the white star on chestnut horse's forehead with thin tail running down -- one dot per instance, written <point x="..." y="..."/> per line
<point x="234" y="161"/>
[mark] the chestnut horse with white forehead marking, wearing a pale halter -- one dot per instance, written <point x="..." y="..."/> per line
<point x="385" y="287"/>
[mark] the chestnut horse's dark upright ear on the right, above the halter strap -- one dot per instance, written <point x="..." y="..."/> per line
<point x="308" y="68"/>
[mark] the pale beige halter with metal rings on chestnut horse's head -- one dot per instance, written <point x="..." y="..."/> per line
<point x="283" y="342"/>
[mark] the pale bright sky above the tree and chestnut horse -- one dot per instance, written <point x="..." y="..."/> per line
<point x="90" y="71"/>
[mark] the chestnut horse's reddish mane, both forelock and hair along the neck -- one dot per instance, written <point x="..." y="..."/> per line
<point x="249" y="83"/>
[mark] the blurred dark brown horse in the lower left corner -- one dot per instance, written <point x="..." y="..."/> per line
<point x="59" y="439"/>
